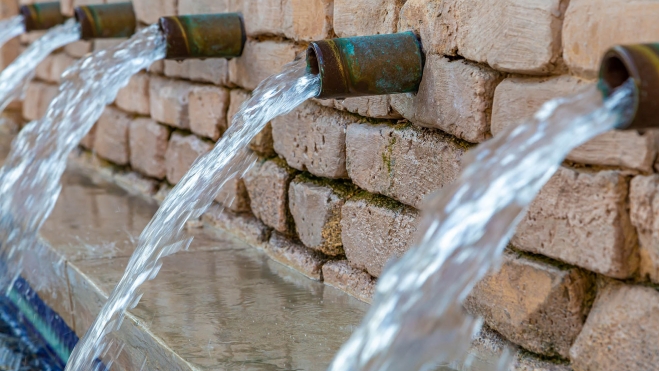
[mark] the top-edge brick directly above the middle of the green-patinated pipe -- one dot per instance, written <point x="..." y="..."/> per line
<point x="367" y="17"/>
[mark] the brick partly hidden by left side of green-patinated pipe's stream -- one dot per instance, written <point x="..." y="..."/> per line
<point x="182" y="152"/>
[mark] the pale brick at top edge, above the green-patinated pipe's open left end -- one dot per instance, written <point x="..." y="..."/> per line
<point x="307" y="20"/>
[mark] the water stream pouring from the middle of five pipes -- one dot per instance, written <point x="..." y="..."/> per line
<point x="30" y="177"/>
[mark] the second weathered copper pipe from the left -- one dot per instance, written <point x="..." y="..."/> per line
<point x="106" y="21"/>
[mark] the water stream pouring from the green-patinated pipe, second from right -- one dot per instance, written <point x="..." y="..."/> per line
<point x="277" y="95"/>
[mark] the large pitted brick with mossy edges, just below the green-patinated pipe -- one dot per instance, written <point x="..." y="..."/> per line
<point x="405" y="163"/>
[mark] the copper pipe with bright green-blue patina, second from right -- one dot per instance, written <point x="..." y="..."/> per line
<point x="367" y="65"/>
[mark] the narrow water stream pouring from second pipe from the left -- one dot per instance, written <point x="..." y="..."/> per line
<point x="14" y="78"/>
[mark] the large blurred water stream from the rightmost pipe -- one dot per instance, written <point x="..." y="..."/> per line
<point x="416" y="321"/>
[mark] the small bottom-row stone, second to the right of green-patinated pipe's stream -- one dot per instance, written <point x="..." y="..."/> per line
<point x="296" y="256"/>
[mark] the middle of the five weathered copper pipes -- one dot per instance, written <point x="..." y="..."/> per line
<point x="204" y="36"/>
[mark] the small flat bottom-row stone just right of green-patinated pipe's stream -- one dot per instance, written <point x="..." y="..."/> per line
<point x="244" y="226"/>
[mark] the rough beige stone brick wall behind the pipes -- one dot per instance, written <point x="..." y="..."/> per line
<point x="338" y="185"/>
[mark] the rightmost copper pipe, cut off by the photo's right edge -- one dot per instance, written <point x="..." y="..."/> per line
<point x="641" y="63"/>
